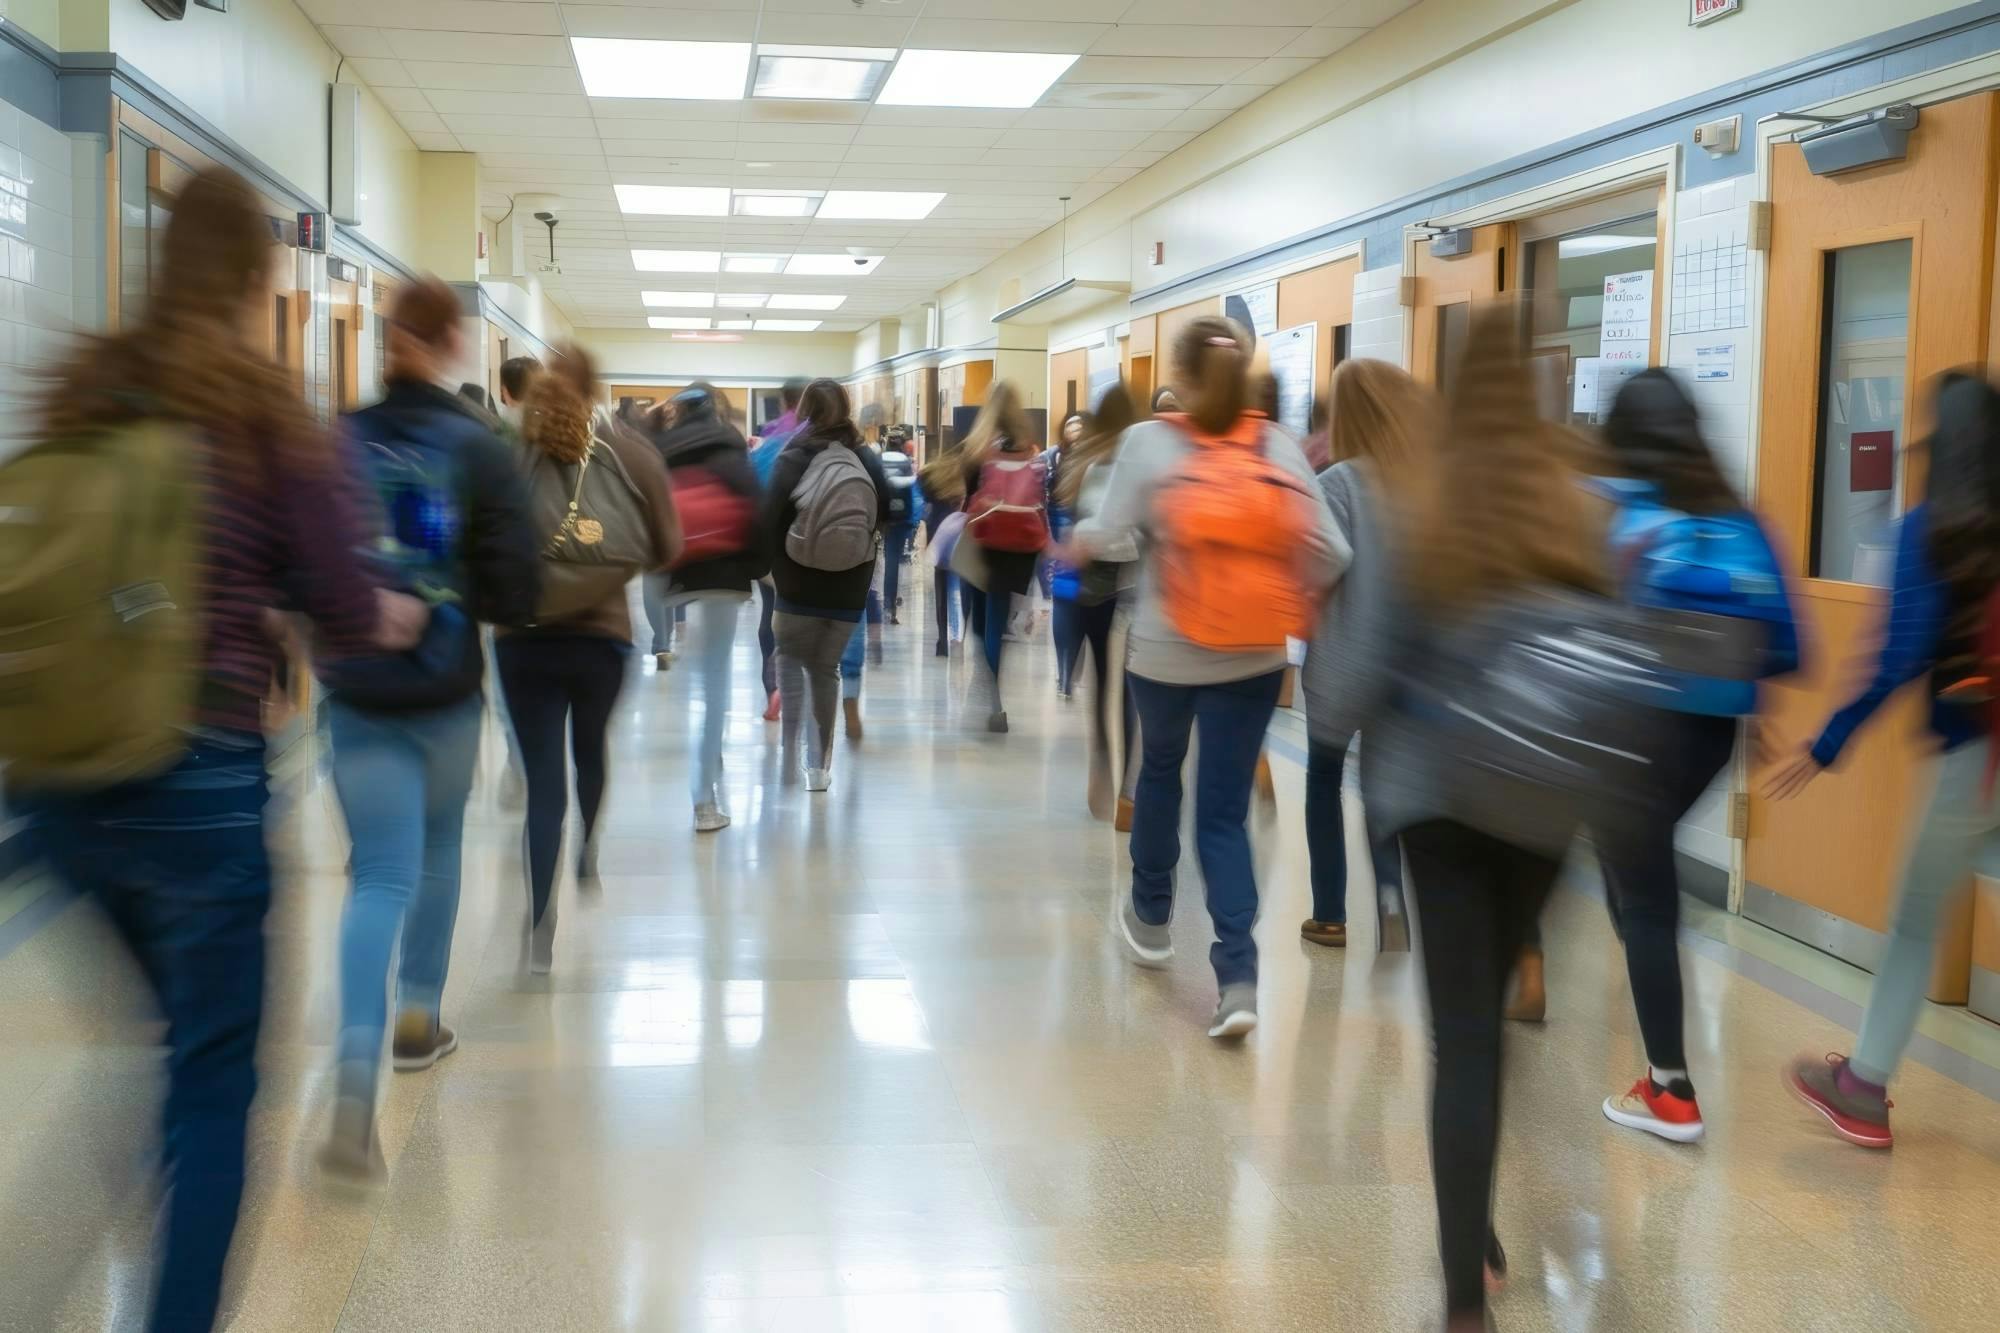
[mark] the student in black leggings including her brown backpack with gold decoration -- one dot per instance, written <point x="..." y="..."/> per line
<point x="563" y="674"/>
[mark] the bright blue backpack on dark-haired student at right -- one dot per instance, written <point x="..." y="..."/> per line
<point x="1719" y="599"/>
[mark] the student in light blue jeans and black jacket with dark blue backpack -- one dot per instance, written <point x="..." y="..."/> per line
<point x="405" y="732"/>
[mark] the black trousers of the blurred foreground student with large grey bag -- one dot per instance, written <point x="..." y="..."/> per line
<point x="1475" y="902"/>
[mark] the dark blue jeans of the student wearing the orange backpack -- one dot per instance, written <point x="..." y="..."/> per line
<point x="1233" y="720"/>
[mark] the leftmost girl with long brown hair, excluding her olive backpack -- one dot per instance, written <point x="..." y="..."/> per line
<point x="179" y="862"/>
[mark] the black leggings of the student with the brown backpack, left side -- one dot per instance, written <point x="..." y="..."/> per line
<point x="557" y="682"/>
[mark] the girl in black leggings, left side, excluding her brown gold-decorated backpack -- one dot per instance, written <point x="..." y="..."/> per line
<point x="563" y="678"/>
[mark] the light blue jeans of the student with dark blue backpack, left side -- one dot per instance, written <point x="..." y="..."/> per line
<point x="403" y="782"/>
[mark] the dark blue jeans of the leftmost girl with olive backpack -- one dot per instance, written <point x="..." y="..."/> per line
<point x="181" y="870"/>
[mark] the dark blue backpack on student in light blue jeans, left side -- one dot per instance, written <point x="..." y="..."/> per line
<point x="413" y="467"/>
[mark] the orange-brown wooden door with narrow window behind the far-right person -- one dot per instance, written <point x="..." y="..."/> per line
<point x="1823" y="866"/>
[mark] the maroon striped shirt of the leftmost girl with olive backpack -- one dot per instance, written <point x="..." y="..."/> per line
<point x="277" y="541"/>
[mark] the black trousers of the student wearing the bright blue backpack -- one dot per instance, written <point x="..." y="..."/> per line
<point x="1643" y="888"/>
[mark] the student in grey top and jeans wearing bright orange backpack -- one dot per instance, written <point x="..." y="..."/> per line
<point x="1237" y="551"/>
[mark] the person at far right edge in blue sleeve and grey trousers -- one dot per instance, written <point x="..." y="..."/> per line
<point x="1947" y="575"/>
